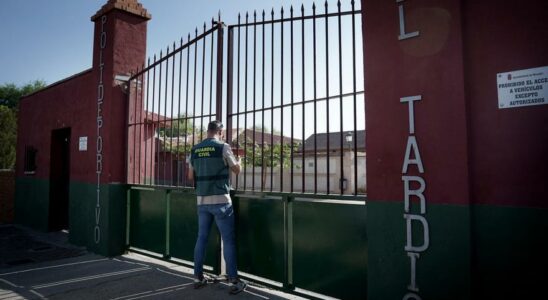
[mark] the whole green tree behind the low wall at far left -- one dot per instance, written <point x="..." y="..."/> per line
<point x="10" y="94"/>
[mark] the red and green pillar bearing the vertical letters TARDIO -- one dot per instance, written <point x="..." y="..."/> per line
<point x="417" y="160"/>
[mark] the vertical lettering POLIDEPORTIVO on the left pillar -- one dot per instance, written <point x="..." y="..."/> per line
<point x="99" y="147"/>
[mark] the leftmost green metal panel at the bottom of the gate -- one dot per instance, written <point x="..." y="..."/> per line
<point x="147" y="215"/>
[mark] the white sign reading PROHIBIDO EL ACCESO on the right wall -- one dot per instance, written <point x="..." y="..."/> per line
<point x="523" y="87"/>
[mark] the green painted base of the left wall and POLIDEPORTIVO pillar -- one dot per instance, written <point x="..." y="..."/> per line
<point x="32" y="210"/>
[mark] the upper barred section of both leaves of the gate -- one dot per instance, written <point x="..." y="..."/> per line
<point x="294" y="101"/>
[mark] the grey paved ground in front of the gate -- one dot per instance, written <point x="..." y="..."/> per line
<point x="42" y="273"/>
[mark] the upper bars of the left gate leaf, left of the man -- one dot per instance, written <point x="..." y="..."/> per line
<point x="172" y="99"/>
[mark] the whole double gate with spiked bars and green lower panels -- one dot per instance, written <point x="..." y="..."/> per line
<point x="295" y="113"/>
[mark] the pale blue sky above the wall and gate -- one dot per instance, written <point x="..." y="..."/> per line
<point x="51" y="40"/>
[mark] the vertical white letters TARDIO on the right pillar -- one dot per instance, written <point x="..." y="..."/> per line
<point x="413" y="186"/>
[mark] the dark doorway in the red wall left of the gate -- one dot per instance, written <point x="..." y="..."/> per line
<point x="59" y="179"/>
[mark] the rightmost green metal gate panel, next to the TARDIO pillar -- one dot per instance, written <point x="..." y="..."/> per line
<point x="329" y="252"/>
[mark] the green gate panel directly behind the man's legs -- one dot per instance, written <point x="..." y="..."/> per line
<point x="183" y="230"/>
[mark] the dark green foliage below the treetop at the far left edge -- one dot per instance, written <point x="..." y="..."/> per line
<point x="8" y="137"/>
